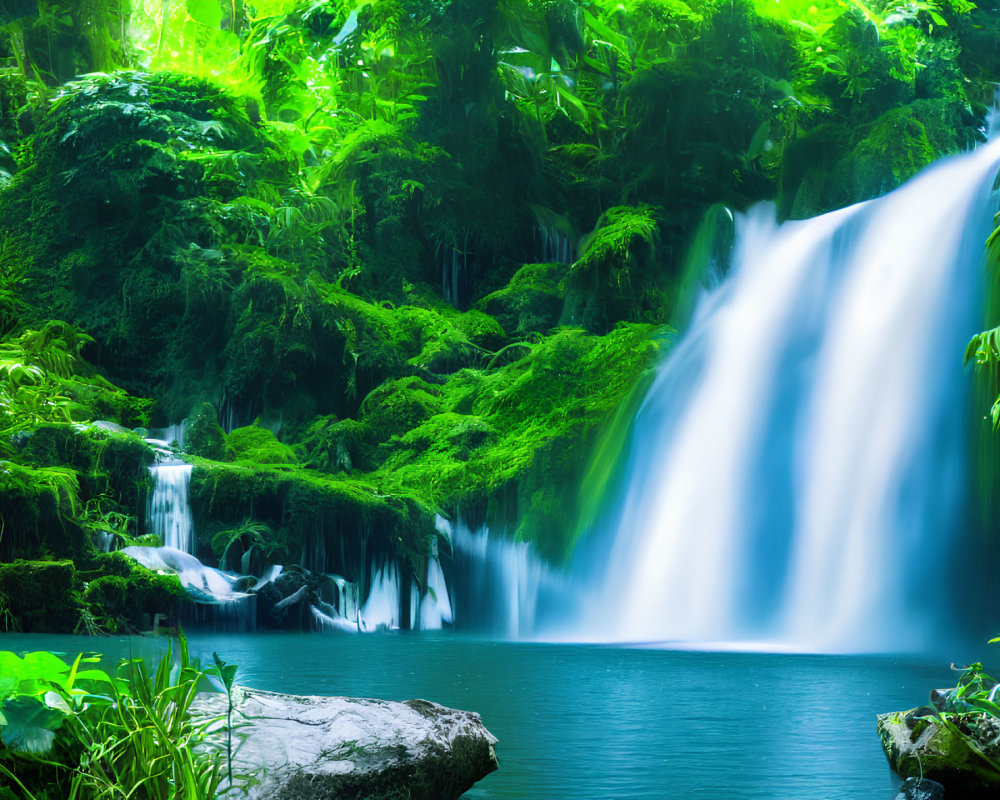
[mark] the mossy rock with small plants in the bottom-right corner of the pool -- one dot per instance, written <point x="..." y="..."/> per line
<point x="961" y="755"/>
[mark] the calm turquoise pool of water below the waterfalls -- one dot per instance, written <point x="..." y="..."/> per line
<point x="607" y="722"/>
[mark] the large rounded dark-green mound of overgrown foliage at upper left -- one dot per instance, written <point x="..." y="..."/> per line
<point x="119" y="202"/>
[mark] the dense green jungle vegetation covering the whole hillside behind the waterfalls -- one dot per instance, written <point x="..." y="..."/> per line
<point x="396" y="258"/>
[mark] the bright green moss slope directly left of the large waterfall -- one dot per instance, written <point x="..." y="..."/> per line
<point x="523" y="432"/>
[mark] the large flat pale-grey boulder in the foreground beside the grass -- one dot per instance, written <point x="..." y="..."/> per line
<point x="320" y="748"/>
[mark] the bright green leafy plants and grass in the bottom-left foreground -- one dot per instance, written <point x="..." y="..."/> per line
<point x="75" y="731"/>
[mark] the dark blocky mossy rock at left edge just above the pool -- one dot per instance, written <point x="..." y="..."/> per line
<point x="39" y="597"/>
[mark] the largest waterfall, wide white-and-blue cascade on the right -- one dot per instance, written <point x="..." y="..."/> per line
<point x="796" y="470"/>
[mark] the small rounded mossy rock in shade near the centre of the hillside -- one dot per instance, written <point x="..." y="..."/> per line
<point x="531" y="302"/>
